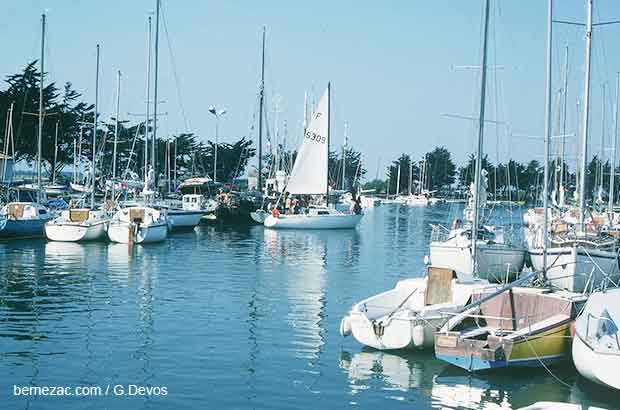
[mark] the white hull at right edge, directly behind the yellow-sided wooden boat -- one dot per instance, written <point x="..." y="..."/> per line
<point x="574" y="268"/>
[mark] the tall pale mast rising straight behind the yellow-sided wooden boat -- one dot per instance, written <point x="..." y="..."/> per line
<point x="547" y="131"/>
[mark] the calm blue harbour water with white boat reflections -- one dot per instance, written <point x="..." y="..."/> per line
<point x="235" y="318"/>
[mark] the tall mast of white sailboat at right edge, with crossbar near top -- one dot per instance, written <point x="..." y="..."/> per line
<point x="584" y="125"/>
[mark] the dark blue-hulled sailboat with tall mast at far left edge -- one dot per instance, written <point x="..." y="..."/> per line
<point x="26" y="219"/>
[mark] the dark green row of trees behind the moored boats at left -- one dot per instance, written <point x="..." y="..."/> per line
<point x="68" y="120"/>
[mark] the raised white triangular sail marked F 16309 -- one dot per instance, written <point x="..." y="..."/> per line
<point x="309" y="174"/>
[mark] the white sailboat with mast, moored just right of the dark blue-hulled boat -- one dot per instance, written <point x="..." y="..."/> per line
<point x="82" y="224"/>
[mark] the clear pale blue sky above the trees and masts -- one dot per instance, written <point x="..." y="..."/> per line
<point x="400" y="70"/>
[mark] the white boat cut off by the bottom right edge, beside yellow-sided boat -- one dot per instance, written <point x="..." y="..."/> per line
<point x="596" y="344"/>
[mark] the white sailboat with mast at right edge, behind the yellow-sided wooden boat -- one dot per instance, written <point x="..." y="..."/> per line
<point x="577" y="257"/>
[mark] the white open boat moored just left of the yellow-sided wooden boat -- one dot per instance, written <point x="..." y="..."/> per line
<point x="400" y="319"/>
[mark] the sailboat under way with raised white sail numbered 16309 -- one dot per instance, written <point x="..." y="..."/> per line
<point x="309" y="177"/>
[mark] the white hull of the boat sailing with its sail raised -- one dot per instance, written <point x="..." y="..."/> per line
<point x="333" y="221"/>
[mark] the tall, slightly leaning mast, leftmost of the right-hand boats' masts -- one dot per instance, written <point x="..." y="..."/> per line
<point x="483" y="81"/>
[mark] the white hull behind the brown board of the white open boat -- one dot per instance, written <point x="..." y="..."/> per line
<point x="495" y="262"/>
